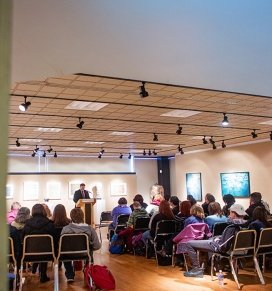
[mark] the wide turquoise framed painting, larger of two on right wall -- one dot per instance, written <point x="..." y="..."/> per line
<point x="236" y="183"/>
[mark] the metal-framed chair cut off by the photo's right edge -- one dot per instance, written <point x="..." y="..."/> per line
<point x="264" y="246"/>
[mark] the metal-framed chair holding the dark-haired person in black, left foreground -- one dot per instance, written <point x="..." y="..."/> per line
<point x="39" y="249"/>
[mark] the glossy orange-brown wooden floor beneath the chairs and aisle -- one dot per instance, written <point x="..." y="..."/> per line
<point x="135" y="273"/>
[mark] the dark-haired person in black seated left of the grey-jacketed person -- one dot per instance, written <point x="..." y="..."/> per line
<point x="39" y="224"/>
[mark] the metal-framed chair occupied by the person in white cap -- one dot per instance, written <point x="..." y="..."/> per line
<point x="244" y="246"/>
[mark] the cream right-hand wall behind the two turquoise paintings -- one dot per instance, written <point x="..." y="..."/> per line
<point x="255" y="159"/>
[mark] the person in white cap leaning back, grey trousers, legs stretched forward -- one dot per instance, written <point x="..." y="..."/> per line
<point x="237" y="213"/>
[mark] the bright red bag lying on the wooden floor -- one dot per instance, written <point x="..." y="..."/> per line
<point x="100" y="276"/>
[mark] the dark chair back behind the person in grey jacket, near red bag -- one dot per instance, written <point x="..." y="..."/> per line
<point x="74" y="246"/>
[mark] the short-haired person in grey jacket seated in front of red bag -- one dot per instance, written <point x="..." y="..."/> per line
<point x="78" y="226"/>
